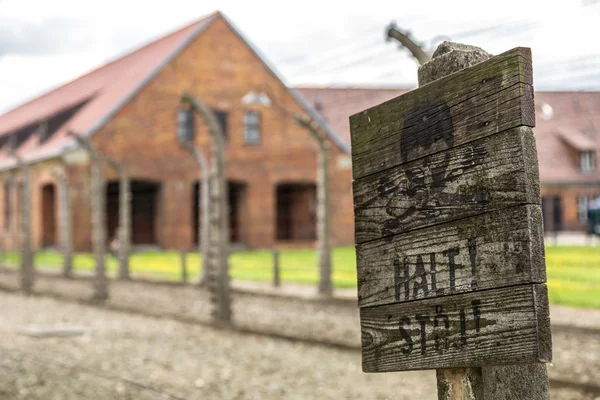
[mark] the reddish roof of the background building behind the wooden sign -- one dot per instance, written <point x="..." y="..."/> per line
<point x="559" y="115"/>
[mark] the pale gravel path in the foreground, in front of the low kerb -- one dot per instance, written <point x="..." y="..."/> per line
<point x="180" y="360"/>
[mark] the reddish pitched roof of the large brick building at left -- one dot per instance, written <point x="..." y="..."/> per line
<point x="99" y="94"/>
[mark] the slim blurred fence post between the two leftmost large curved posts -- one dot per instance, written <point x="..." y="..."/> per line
<point x="64" y="204"/>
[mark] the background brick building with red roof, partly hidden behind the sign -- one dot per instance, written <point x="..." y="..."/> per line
<point x="567" y="133"/>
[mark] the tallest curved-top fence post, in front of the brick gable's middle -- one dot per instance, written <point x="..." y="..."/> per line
<point x="217" y="264"/>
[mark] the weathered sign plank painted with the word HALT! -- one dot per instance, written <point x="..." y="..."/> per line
<point x="491" y="250"/>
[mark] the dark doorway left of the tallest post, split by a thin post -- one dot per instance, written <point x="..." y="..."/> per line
<point x="144" y="206"/>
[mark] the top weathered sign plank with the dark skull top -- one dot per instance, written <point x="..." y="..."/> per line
<point x="476" y="102"/>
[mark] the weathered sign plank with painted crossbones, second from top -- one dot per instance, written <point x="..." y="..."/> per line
<point x="489" y="174"/>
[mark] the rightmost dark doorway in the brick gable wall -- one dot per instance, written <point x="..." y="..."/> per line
<point x="296" y="211"/>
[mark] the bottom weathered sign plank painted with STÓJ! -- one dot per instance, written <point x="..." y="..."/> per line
<point x="494" y="327"/>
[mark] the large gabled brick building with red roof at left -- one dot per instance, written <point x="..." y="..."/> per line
<point x="128" y="108"/>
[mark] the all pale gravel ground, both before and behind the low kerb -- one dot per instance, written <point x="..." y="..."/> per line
<point x="128" y="356"/>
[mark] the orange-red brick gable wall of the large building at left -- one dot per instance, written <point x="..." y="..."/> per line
<point x="220" y="69"/>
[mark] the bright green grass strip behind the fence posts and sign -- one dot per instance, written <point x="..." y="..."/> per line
<point x="573" y="271"/>
